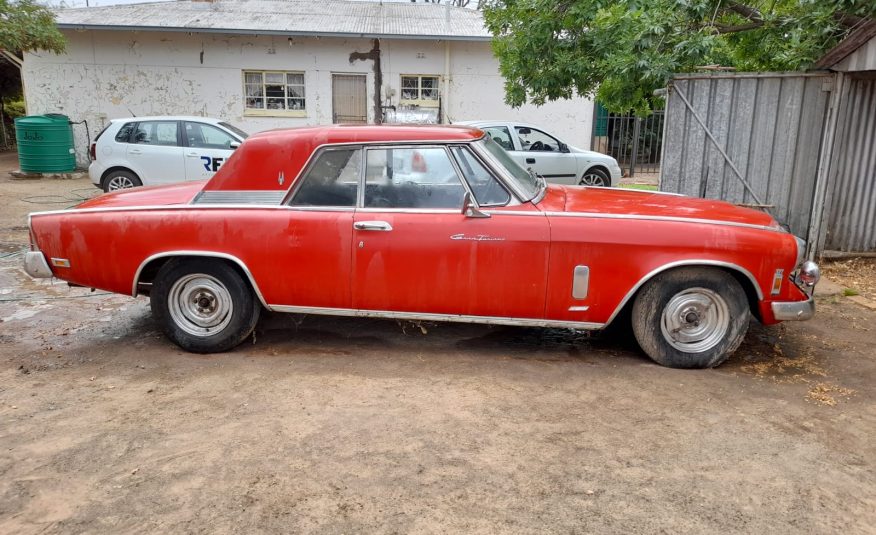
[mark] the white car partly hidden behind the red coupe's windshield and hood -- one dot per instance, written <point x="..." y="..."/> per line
<point x="550" y="157"/>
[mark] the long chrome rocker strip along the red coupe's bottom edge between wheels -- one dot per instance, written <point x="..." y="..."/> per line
<point x="423" y="316"/>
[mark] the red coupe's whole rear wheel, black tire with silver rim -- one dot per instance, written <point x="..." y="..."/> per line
<point x="191" y="290"/>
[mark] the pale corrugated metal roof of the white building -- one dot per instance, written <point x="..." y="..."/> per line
<point x="335" y="18"/>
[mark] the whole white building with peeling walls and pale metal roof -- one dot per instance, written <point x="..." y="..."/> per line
<point x="262" y="64"/>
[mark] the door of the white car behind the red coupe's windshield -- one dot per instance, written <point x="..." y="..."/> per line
<point x="545" y="154"/>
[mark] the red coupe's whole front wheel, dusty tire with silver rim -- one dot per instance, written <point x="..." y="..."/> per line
<point x="691" y="317"/>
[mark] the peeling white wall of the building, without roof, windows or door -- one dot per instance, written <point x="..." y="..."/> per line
<point x="111" y="74"/>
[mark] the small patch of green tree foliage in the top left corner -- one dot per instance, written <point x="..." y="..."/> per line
<point x="27" y="25"/>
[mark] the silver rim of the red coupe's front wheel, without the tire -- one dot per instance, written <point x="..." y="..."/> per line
<point x="695" y="320"/>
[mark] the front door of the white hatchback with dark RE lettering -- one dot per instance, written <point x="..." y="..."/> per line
<point x="206" y="149"/>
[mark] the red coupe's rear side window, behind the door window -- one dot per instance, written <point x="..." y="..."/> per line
<point x="332" y="179"/>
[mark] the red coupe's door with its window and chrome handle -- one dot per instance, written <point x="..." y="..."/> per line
<point x="415" y="252"/>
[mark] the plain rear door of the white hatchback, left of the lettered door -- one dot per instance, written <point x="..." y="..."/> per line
<point x="155" y="152"/>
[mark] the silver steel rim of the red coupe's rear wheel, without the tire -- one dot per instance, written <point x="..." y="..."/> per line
<point x="200" y="305"/>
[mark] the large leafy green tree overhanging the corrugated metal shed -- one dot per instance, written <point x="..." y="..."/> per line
<point x="622" y="50"/>
